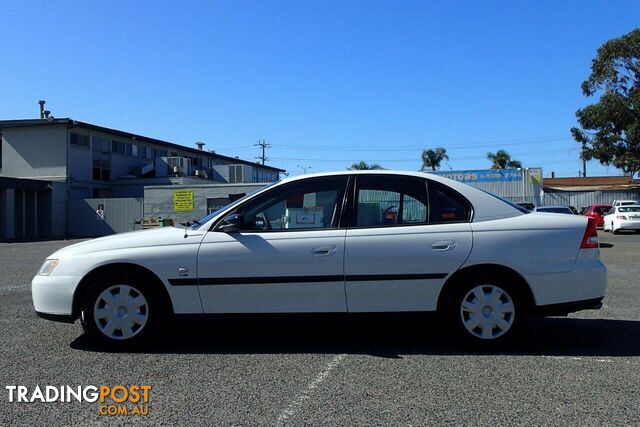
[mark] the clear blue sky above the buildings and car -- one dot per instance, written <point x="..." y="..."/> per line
<point x="325" y="83"/>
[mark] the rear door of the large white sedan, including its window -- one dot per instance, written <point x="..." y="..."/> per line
<point x="404" y="240"/>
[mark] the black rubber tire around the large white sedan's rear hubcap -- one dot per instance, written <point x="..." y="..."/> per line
<point x="512" y="291"/>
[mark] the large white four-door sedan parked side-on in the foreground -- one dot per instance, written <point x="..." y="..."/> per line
<point x="367" y="241"/>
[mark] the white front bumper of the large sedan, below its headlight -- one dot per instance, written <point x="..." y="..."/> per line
<point x="53" y="295"/>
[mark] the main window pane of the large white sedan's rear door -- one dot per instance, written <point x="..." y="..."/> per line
<point x="383" y="200"/>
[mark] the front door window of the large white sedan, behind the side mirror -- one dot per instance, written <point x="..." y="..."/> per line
<point x="302" y="205"/>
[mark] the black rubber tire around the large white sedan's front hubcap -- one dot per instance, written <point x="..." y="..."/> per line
<point x="152" y="310"/>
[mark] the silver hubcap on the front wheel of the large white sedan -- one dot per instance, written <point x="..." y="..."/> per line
<point x="121" y="312"/>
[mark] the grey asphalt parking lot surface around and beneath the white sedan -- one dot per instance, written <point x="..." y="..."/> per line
<point x="580" y="370"/>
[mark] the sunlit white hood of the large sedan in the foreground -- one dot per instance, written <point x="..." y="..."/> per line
<point x="134" y="239"/>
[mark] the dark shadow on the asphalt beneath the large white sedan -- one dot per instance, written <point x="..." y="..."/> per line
<point x="388" y="336"/>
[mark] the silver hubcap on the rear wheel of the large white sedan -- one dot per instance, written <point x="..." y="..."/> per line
<point x="487" y="312"/>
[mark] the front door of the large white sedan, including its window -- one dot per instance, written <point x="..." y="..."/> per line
<point x="288" y="258"/>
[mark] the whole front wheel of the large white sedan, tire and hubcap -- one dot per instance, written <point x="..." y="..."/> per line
<point x="120" y="312"/>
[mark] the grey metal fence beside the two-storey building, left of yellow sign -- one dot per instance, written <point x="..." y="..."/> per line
<point x="86" y="219"/>
